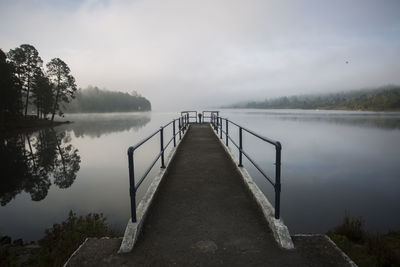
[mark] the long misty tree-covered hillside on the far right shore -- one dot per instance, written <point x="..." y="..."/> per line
<point x="378" y="99"/>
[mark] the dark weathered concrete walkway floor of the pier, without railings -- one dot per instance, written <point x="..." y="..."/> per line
<point x="203" y="215"/>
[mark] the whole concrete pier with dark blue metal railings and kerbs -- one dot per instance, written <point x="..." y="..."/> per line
<point x="203" y="209"/>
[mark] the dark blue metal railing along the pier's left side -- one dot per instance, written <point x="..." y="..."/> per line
<point x="183" y="122"/>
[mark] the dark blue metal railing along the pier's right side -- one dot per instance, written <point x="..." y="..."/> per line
<point x="217" y="123"/>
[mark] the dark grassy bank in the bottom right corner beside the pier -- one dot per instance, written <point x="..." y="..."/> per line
<point x="365" y="248"/>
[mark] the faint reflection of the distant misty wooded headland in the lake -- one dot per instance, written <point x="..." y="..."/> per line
<point x="95" y="125"/>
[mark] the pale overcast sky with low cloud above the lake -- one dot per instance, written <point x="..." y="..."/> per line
<point x="184" y="54"/>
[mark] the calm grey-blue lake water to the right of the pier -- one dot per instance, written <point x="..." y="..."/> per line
<point x="331" y="162"/>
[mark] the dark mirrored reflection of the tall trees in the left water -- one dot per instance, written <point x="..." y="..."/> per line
<point x="29" y="161"/>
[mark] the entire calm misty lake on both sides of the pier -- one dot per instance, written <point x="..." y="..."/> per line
<point x="332" y="162"/>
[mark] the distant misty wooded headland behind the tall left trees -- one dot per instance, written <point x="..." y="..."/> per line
<point x="93" y="99"/>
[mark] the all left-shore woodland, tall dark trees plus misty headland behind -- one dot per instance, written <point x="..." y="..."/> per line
<point x="31" y="93"/>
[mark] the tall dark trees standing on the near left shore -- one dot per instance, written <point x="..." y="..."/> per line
<point x="26" y="85"/>
